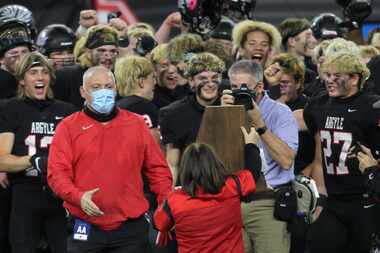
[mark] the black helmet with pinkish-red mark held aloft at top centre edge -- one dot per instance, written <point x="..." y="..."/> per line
<point x="201" y="16"/>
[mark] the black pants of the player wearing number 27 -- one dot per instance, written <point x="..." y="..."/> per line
<point x="343" y="226"/>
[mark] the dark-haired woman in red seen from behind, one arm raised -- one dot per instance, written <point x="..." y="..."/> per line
<point x="205" y="211"/>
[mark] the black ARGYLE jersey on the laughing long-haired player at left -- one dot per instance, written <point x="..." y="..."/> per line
<point x="33" y="124"/>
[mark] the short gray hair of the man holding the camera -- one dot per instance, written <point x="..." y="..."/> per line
<point x="247" y="67"/>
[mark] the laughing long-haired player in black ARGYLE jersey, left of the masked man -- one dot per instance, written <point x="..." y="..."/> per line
<point x="27" y="125"/>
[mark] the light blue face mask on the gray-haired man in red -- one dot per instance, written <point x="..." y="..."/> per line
<point x="103" y="100"/>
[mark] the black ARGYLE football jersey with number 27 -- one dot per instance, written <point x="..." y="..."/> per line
<point x="342" y="123"/>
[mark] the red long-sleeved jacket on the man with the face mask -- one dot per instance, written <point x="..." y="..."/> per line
<point x="86" y="154"/>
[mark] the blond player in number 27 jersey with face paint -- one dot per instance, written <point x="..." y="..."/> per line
<point x="339" y="120"/>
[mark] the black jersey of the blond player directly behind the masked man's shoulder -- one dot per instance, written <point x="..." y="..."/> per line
<point x="141" y="106"/>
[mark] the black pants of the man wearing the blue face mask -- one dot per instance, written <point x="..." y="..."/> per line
<point x="131" y="237"/>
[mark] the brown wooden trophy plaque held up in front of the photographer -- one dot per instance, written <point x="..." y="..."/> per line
<point x="220" y="128"/>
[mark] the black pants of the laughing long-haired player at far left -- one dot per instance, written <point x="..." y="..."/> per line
<point x="36" y="213"/>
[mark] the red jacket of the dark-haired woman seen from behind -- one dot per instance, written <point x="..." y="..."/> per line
<point x="208" y="223"/>
